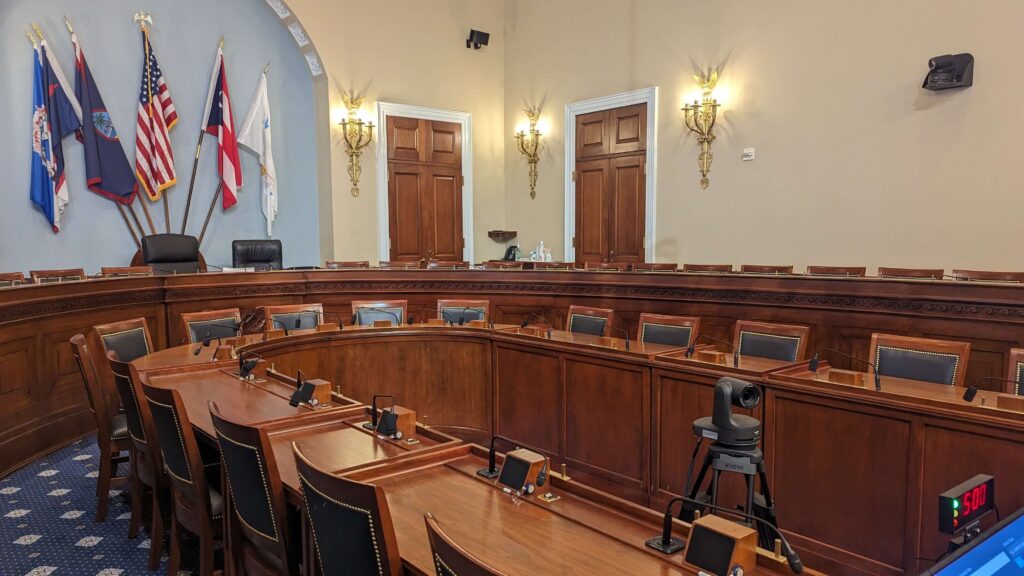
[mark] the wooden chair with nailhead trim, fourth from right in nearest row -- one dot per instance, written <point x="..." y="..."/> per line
<point x="199" y="506"/>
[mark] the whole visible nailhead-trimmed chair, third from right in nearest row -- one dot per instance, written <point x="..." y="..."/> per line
<point x="261" y="541"/>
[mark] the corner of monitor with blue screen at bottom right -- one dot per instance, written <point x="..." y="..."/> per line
<point x="1000" y="552"/>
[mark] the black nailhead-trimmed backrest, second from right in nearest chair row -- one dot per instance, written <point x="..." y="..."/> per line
<point x="351" y="523"/>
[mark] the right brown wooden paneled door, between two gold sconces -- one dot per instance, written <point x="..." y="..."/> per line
<point x="611" y="186"/>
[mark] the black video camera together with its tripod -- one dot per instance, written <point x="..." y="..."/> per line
<point x="734" y="449"/>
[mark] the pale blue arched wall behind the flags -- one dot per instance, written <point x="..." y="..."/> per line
<point x="185" y="37"/>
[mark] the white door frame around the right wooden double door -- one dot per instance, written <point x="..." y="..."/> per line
<point x="644" y="96"/>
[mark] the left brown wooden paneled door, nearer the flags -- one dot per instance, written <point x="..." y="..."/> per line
<point x="424" y="190"/>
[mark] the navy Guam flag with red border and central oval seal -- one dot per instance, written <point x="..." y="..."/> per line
<point x="108" y="172"/>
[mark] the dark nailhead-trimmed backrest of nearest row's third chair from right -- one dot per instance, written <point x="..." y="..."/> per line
<point x="258" y="495"/>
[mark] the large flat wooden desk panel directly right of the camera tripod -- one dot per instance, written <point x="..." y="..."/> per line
<point x="834" y="462"/>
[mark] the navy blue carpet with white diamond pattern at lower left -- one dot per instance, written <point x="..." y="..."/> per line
<point x="48" y="513"/>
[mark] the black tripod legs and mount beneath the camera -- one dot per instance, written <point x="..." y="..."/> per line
<point x="748" y="462"/>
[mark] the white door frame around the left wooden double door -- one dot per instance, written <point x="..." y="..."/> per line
<point x="464" y="119"/>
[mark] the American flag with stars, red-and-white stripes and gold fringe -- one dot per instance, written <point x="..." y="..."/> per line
<point x="154" y="158"/>
